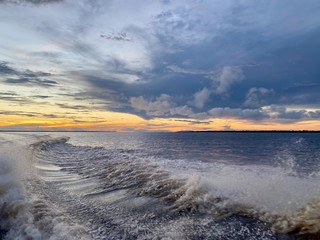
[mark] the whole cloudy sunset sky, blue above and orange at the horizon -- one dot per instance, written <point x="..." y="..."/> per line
<point x="160" y="65"/>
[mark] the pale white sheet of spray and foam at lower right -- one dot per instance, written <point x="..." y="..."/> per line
<point x="290" y="203"/>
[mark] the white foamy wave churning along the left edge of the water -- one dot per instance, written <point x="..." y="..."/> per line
<point x="24" y="215"/>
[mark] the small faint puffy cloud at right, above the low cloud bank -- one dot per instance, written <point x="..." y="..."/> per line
<point x="258" y="97"/>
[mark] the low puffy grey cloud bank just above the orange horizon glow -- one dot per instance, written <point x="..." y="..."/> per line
<point x="164" y="106"/>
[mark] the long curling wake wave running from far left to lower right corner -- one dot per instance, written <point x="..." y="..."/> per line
<point x="290" y="203"/>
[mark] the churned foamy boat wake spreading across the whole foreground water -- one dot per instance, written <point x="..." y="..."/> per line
<point x="83" y="192"/>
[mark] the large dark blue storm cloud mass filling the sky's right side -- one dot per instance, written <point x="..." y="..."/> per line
<point x="269" y="80"/>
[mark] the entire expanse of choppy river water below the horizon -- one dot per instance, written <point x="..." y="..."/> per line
<point x="159" y="185"/>
